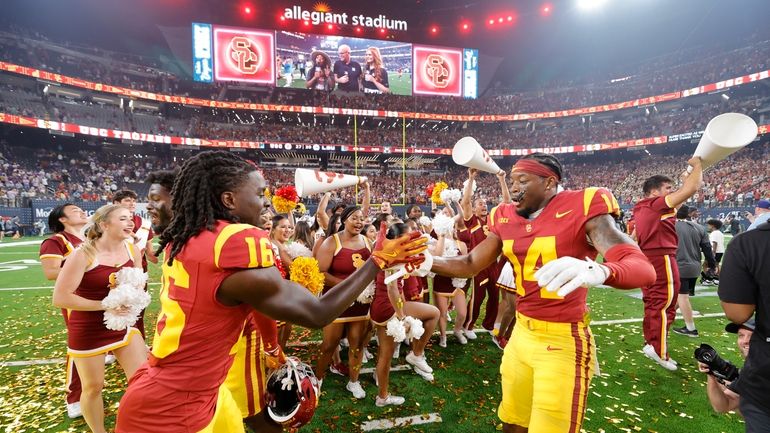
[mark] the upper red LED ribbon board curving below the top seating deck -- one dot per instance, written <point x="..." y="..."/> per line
<point x="158" y="97"/>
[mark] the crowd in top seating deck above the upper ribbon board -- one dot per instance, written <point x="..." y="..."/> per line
<point x="662" y="75"/>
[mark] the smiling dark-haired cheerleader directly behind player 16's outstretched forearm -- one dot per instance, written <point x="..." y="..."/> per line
<point x="339" y="256"/>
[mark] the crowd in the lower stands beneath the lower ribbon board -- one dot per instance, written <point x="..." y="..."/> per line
<point x="95" y="176"/>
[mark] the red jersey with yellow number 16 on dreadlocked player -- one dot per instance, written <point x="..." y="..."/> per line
<point x="195" y="334"/>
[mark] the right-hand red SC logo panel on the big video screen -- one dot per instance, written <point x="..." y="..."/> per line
<point x="438" y="71"/>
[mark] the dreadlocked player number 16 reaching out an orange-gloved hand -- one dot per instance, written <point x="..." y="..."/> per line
<point x="218" y="266"/>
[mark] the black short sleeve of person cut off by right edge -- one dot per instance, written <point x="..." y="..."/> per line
<point x="736" y="284"/>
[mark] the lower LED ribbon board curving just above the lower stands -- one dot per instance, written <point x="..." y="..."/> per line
<point x="186" y="141"/>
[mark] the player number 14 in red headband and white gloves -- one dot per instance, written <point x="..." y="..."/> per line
<point x="551" y="238"/>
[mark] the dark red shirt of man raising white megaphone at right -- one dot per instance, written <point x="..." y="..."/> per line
<point x="656" y="226"/>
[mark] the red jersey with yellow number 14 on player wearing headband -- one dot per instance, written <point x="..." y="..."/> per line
<point x="558" y="231"/>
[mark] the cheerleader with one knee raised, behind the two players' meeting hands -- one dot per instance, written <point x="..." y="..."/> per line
<point x="389" y="303"/>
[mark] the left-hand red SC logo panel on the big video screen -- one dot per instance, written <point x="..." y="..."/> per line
<point x="246" y="55"/>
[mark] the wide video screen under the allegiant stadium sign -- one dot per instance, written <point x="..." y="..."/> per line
<point x="331" y="63"/>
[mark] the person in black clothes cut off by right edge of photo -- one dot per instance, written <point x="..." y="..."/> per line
<point x="744" y="288"/>
